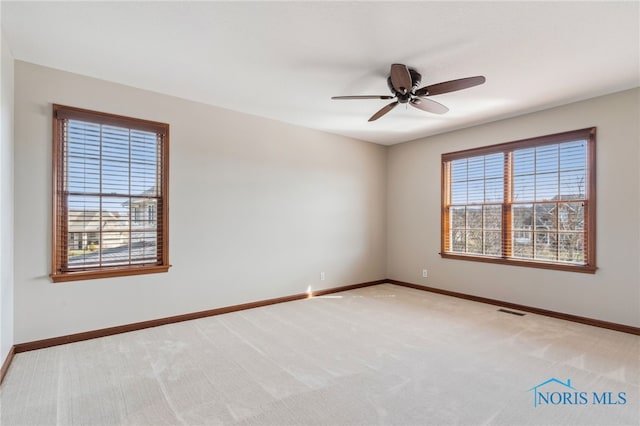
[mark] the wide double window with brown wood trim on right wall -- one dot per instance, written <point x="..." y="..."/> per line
<point x="528" y="203"/>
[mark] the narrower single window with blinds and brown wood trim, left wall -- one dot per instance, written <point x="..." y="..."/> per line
<point x="108" y="171"/>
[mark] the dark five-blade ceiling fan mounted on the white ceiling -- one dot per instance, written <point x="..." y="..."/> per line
<point x="403" y="83"/>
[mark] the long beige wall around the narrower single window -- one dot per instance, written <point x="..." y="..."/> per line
<point x="258" y="210"/>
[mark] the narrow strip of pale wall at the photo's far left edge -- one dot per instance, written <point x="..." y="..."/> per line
<point x="6" y="200"/>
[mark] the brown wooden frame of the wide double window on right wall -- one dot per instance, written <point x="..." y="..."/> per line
<point x="588" y="134"/>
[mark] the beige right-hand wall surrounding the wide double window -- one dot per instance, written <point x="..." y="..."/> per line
<point x="612" y="294"/>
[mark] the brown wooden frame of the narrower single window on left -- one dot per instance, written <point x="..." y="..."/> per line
<point x="59" y="255"/>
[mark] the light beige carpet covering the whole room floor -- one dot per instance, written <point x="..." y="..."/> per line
<point x="377" y="355"/>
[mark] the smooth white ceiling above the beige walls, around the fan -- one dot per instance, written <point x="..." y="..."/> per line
<point x="284" y="60"/>
